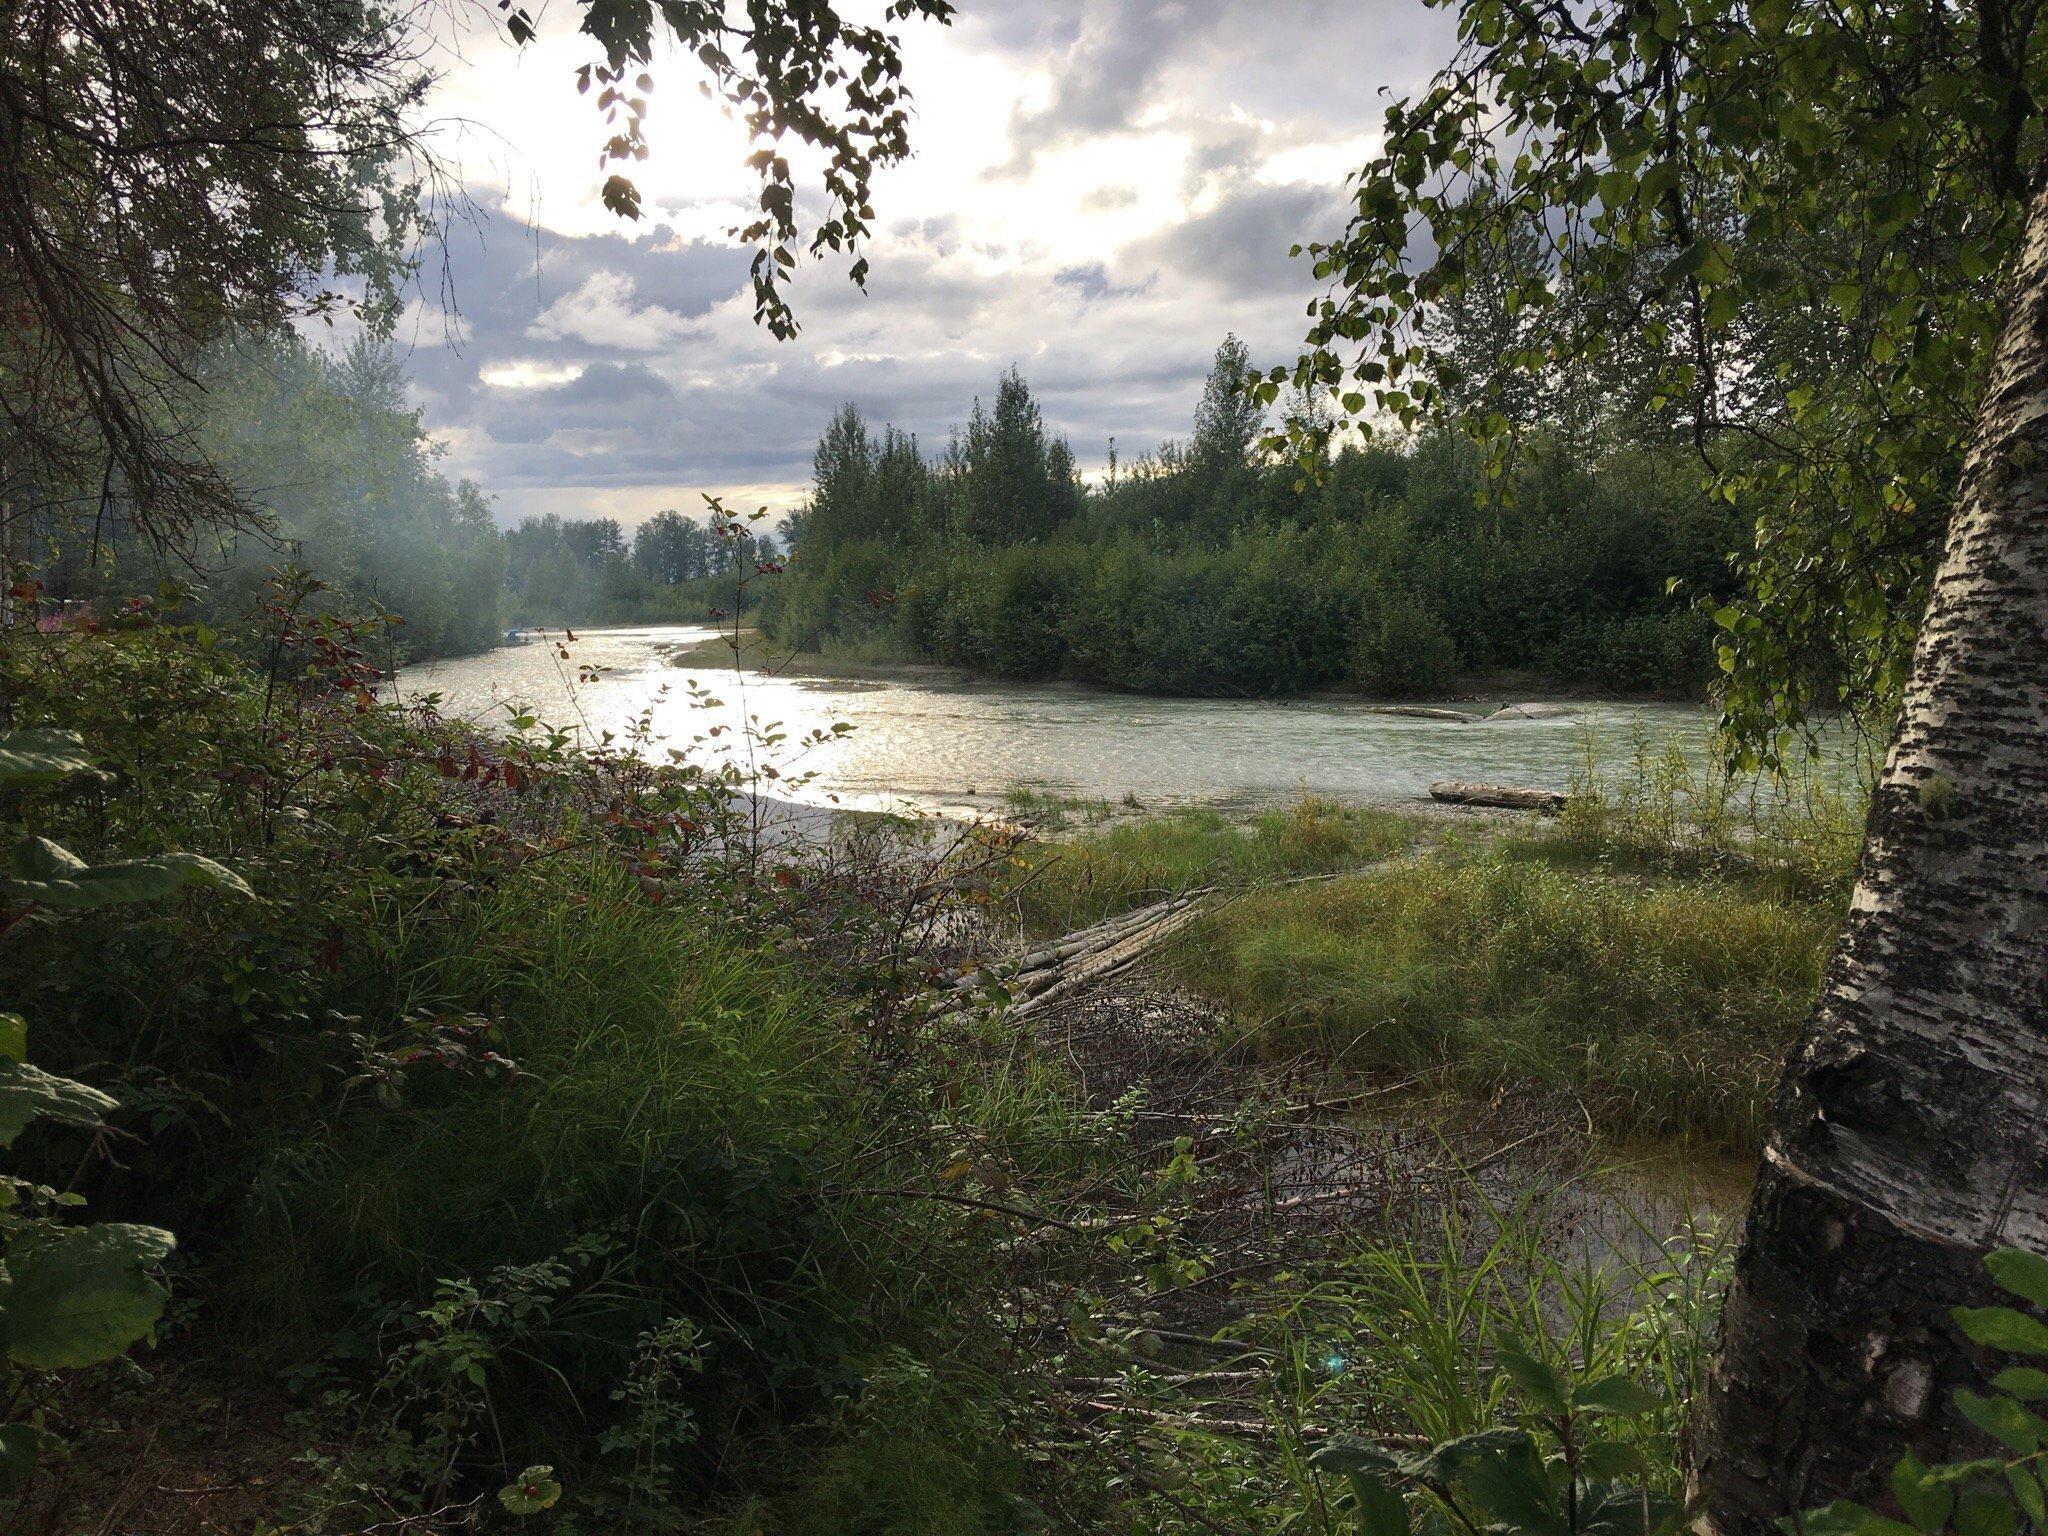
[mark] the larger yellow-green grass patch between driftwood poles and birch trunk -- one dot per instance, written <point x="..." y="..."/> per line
<point x="1662" y="1009"/>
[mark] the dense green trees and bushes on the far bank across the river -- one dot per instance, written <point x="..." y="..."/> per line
<point x="1209" y="568"/>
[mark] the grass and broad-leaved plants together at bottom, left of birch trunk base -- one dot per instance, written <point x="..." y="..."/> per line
<point x="1459" y="1375"/>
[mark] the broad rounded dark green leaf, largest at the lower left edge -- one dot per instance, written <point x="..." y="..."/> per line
<point x="83" y="1297"/>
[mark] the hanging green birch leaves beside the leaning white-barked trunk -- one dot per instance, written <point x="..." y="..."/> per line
<point x="1785" y="220"/>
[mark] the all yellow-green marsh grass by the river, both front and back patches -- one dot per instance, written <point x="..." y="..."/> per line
<point x="1531" y="964"/>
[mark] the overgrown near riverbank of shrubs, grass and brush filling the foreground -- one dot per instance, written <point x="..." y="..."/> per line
<point x="536" y="1111"/>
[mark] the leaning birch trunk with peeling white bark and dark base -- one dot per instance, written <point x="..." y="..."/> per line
<point x="1910" y="1134"/>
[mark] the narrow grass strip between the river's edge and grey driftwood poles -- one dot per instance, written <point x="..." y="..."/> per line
<point x="1080" y="882"/>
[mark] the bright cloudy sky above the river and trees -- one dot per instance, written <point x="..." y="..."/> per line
<point x="1101" y="191"/>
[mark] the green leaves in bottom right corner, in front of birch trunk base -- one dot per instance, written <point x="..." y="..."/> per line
<point x="1988" y="1496"/>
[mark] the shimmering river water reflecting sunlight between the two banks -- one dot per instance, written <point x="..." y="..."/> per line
<point x="959" y="746"/>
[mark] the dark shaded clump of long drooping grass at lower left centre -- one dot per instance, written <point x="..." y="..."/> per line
<point x="695" y="1119"/>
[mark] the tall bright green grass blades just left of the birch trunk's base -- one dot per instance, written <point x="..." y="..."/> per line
<point x="1398" y="1349"/>
